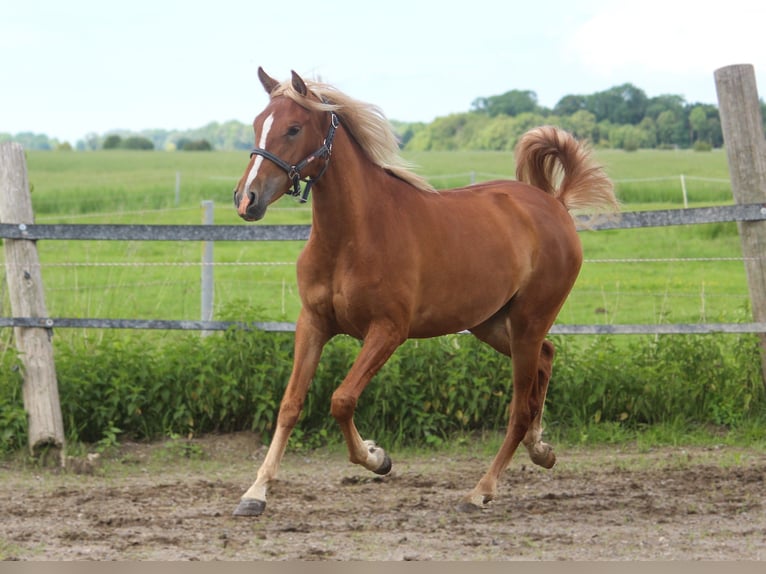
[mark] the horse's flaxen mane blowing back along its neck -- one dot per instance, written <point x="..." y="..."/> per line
<point x="367" y="124"/>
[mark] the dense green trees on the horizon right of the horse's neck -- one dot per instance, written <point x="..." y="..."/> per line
<point x="622" y="117"/>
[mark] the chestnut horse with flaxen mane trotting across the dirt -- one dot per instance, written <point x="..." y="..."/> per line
<point x="390" y="258"/>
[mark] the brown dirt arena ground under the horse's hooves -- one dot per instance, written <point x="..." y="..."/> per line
<point x="173" y="501"/>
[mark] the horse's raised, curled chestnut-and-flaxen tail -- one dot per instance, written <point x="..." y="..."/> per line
<point x="554" y="161"/>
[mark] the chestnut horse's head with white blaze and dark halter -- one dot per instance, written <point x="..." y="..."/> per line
<point x="291" y="133"/>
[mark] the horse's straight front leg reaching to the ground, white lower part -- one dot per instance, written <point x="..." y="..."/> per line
<point x="309" y="342"/>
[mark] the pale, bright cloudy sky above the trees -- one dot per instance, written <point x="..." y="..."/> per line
<point x="76" y="67"/>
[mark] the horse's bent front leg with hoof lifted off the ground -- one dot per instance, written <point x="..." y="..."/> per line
<point x="379" y="344"/>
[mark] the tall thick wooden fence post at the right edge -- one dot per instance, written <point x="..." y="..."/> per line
<point x="746" y="151"/>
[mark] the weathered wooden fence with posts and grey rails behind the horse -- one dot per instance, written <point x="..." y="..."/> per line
<point x="741" y="122"/>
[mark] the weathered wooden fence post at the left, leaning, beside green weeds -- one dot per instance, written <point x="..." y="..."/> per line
<point x="25" y="287"/>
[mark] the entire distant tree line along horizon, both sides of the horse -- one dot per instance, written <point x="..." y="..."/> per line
<point x="622" y="117"/>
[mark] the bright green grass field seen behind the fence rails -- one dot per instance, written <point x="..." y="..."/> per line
<point x="161" y="280"/>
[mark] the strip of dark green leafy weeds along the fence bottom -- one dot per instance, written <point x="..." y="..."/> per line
<point x="429" y="392"/>
